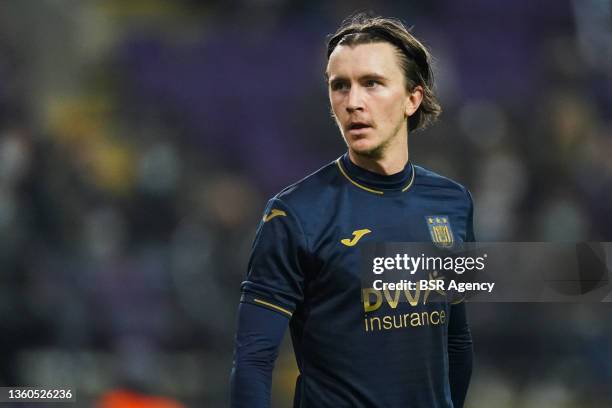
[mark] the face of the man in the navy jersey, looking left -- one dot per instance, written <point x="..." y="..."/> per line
<point x="368" y="97"/>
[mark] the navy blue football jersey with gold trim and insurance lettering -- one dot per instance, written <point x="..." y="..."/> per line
<point x="305" y="265"/>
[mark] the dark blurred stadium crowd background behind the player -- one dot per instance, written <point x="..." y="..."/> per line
<point x="139" y="142"/>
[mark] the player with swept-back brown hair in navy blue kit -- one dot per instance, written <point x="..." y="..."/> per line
<point x="304" y="267"/>
